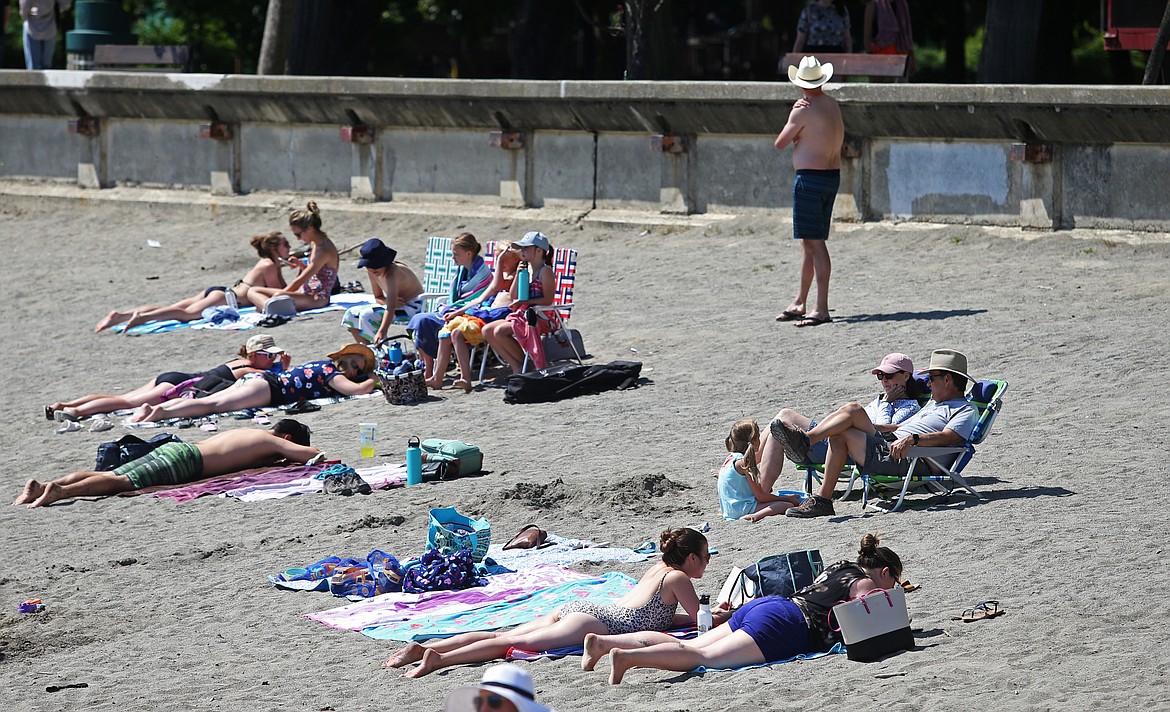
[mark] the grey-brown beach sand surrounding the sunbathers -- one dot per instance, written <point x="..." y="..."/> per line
<point x="156" y="605"/>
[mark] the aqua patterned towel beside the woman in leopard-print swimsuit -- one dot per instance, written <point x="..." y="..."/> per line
<point x="514" y="611"/>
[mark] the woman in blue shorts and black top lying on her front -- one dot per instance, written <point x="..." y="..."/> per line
<point x="765" y="631"/>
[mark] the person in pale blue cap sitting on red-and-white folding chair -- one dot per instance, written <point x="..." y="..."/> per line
<point x="517" y="335"/>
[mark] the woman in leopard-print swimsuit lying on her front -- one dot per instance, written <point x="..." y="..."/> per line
<point x="649" y="606"/>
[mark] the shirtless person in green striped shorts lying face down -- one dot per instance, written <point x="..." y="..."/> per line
<point x="177" y="464"/>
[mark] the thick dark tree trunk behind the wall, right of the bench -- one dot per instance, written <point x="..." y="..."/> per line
<point x="1010" y="44"/>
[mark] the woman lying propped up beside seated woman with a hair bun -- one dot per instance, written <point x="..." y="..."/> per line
<point x="274" y="252"/>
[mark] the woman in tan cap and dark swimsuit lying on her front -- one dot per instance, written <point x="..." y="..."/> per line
<point x="259" y="355"/>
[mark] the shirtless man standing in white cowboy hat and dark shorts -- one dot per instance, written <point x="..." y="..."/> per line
<point x="816" y="132"/>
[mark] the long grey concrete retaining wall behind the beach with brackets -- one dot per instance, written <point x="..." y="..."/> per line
<point x="1044" y="157"/>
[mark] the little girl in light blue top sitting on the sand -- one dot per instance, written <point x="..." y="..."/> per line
<point x="741" y="495"/>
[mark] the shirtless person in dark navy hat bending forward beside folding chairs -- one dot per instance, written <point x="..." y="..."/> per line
<point x="388" y="276"/>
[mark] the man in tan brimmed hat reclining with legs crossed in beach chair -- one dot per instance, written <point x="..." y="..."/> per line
<point x="947" y="420"/>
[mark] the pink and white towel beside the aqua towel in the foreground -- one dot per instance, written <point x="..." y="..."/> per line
<point x="394" y="607"/>
